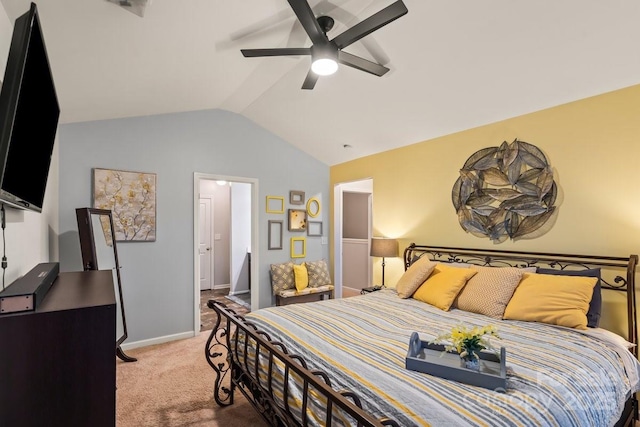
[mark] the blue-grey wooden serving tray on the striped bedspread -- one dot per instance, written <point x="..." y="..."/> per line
<point x="431" y="359"/>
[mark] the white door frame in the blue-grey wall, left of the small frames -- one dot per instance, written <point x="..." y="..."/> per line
<point x="255" y="285"/>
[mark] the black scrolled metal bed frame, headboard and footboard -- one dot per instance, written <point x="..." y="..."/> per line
<point x="227" y="348"/>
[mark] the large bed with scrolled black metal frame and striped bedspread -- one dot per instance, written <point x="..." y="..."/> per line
<point x="342" y="361"/>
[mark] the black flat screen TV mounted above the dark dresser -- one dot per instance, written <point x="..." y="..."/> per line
<point x="29" y="113"/>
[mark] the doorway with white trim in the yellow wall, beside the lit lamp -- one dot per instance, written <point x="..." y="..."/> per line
<point x="348" y="251"/>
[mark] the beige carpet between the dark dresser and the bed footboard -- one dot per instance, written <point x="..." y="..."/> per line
<point x="171" y="384"/>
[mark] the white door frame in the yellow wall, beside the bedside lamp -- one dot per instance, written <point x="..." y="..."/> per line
<point x="359" y="186"/>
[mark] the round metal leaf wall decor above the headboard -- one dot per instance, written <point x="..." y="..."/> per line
<point x="505" y="192"/>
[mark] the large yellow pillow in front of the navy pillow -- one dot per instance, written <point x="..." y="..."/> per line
<point x="556" y="300"/>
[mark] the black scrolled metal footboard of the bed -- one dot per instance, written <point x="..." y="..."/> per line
<point x="238" y="353"/>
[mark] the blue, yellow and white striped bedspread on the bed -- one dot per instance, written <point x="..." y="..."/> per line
<point x="557" y="377"/>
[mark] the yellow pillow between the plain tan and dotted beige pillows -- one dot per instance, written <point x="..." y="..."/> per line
<point x="443" y="285"/>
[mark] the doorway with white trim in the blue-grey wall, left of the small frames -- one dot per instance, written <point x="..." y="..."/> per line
<point x="224" y="257"/>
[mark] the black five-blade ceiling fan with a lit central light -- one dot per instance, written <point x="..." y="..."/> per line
<point x="326" y="54"/>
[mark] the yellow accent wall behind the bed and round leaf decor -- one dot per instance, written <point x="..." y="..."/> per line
<point x="593" y="146"/>
